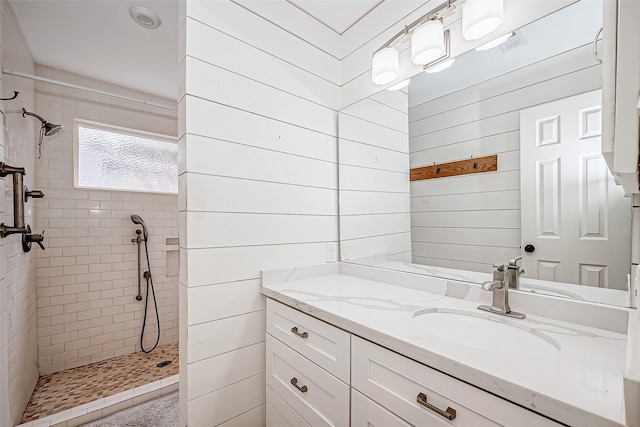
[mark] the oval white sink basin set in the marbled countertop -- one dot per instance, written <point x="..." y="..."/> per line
<point x="484" y="331"/>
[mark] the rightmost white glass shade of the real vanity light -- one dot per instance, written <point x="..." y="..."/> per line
<point x="481" y="17"/>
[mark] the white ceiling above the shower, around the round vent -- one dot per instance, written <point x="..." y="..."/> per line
<point x="98" y="39"/>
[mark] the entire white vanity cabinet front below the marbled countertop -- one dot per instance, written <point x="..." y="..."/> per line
<point x="309" y="384"/>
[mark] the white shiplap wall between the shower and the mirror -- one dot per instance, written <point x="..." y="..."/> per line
<point x="258" y="189"/>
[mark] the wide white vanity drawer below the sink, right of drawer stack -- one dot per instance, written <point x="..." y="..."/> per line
<point x="397" y="383"/>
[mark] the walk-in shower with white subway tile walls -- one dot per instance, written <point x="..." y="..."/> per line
<point x="74" y="303"/>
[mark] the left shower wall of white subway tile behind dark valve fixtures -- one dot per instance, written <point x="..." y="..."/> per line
<point x="18" y="365"/>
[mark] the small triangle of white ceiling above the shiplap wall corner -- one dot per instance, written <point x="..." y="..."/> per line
<point x="339" y="15"/>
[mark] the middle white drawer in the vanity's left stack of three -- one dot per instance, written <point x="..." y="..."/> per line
<point x="319" y="397"/>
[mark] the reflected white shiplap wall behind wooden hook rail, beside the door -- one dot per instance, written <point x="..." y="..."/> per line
<point x="473" y="221"/>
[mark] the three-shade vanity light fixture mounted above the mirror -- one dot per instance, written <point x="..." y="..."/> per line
<point x="430" y="42"/>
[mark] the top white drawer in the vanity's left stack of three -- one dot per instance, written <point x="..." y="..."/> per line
<point x="318" y="341"/>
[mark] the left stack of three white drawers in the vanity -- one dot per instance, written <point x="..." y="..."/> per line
<point x="308" y="364"/>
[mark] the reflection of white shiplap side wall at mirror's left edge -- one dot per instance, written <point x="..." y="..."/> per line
<point x="374" y="178"/>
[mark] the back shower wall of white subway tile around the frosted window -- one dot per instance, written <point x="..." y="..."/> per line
<point x="87" y="276"/>
